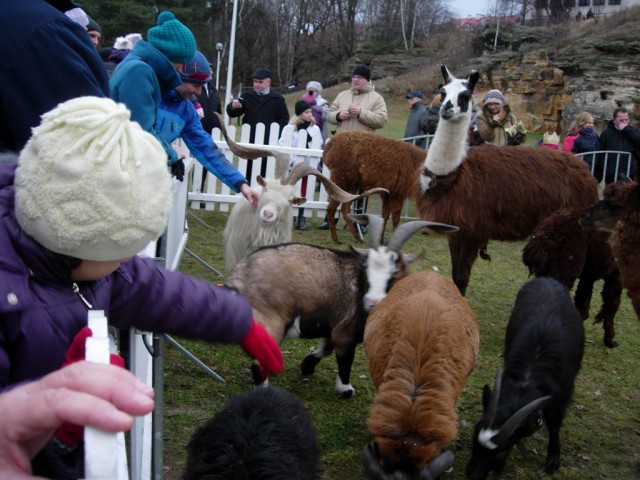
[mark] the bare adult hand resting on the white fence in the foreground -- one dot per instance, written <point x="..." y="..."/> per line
<point x="89" y="394"/>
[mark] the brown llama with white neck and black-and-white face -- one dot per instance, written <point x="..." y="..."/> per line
<point x="492" y="193"/>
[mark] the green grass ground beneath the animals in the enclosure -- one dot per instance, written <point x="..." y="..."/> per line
<point x="600" y="435"/>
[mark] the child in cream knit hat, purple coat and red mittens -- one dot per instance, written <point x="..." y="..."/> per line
<point x="91" y="188"/>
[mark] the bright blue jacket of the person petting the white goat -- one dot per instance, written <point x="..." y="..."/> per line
<point x="177" y="117"/>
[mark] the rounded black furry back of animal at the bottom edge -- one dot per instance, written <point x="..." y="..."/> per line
<point x="262" y="434"/>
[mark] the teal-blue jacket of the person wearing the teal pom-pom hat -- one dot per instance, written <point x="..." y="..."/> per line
<point x="140" y="81"/>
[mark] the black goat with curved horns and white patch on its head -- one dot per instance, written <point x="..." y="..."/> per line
<point x="542" y="355"/>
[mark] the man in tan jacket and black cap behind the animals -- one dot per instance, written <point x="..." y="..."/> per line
<point x="360" y="107"/>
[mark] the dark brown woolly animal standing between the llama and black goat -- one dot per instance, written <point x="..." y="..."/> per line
<point x="560" y="248"/>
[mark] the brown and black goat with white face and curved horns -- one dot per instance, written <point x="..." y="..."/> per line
<point x="306" y="291"/>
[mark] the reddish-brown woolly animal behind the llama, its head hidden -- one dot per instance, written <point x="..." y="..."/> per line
<point x="359" y="160"/>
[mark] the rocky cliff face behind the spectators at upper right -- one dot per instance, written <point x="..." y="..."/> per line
<point x="548" y="80"/>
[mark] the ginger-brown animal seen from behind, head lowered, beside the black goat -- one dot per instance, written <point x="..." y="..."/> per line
<point x="421" y="342"/>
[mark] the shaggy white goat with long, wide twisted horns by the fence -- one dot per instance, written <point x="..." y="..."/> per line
<point x="247" y="230"/>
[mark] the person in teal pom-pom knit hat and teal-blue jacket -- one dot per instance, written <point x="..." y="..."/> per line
<point x="150" y="71"/>
